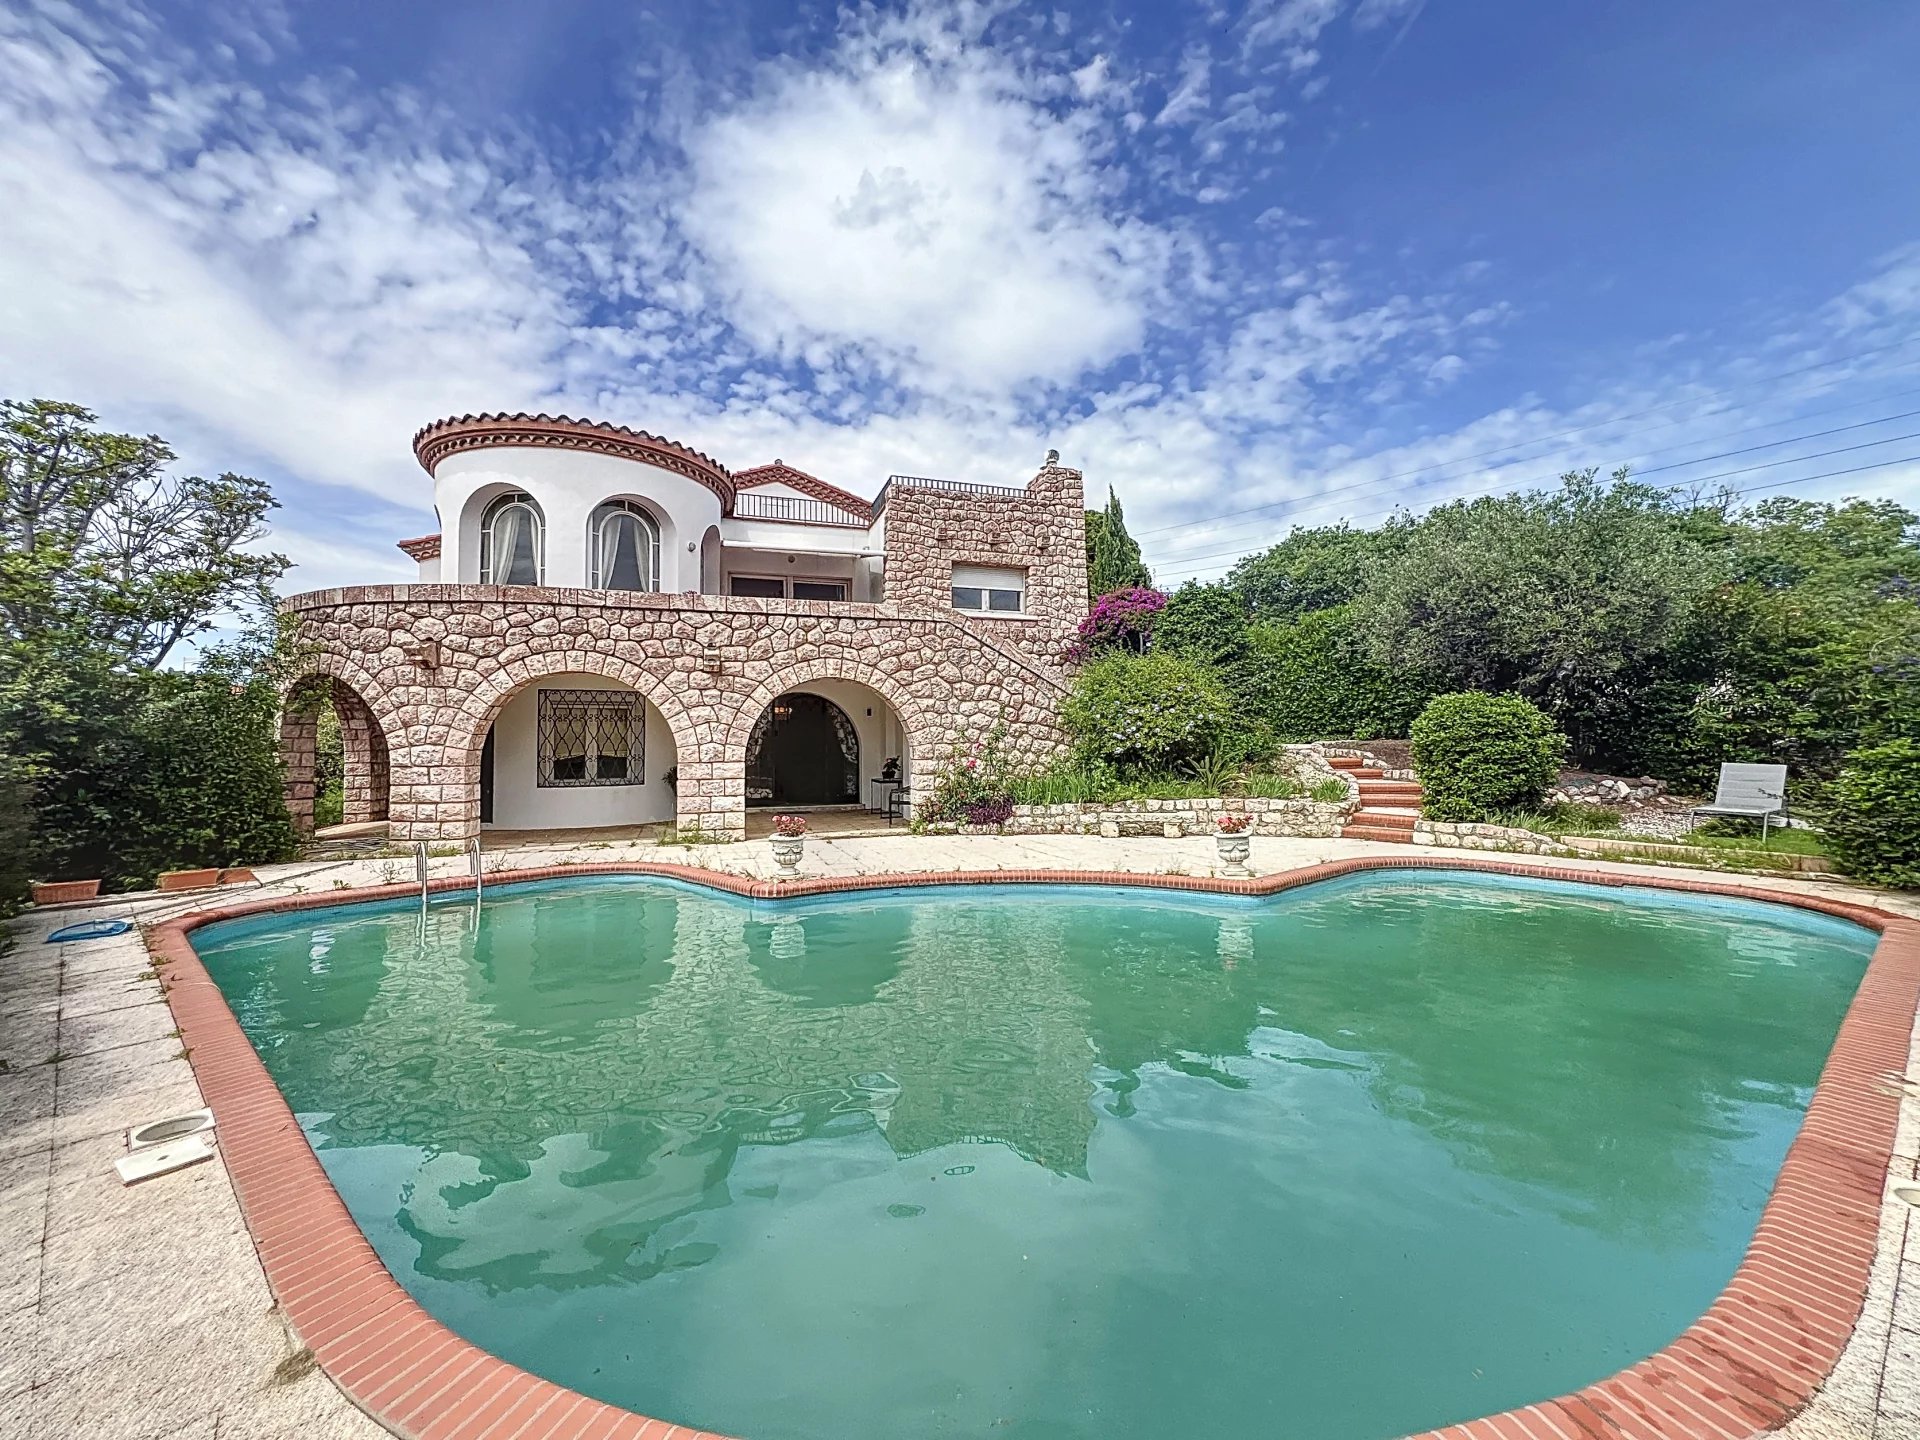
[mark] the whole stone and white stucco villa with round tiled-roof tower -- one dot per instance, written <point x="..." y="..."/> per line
<point x="613" y="629"/>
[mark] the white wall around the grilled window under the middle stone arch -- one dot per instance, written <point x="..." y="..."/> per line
<point x="519" y="802"/>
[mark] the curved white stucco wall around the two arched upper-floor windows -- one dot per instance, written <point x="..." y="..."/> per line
<point x="569" y="485"/>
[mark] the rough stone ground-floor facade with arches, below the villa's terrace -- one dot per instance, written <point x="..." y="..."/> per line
<point x="431" y="667"/>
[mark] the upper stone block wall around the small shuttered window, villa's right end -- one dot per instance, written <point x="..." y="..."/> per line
<point x="1042" y="531"/>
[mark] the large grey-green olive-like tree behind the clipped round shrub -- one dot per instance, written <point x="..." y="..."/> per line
<point x="1566" y="598"/>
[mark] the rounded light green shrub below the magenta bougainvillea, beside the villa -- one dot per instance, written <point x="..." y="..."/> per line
<point x="1147" y="713"/>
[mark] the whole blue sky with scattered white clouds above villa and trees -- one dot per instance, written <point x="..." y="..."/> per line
<point x="1253" y="266"/>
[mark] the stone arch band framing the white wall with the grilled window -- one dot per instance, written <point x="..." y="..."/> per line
<point x="456" y="804"/>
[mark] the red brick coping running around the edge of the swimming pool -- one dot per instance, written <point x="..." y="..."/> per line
<point x="1740" y="1370"/>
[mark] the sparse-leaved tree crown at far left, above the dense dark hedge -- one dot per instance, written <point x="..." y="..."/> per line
<point x="99" y="540"/>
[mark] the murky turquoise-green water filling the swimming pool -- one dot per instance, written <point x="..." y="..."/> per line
<point x="1351" y="1163"/>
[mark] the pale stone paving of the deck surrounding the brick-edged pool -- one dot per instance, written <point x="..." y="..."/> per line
<point x="143" y="1312"/>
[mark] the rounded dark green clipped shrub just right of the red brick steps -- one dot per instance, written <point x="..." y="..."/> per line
<point x="1479" y="754"/>
